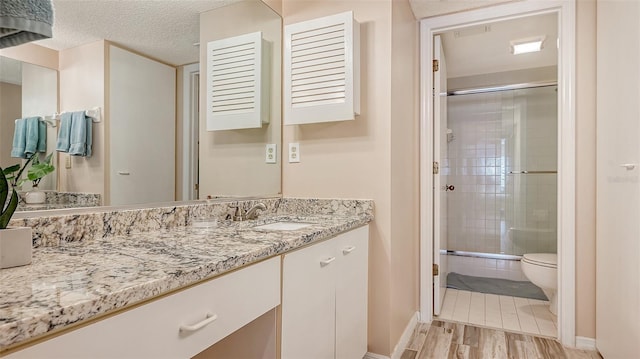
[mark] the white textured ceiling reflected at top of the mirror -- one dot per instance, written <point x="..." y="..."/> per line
<point x="162" y="29"/>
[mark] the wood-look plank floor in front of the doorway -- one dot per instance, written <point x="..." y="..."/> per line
<point x="444" y="340"/>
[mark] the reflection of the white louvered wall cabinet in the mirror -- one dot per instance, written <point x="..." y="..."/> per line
<point x="237" y="88"/>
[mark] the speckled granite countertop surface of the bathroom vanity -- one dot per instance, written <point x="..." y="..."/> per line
<point x="79" y="281"/>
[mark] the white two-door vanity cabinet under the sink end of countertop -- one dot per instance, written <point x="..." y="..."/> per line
<point x="324" y="298"/>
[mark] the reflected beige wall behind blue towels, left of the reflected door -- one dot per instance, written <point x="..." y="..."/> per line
<point x="82" y="86"/>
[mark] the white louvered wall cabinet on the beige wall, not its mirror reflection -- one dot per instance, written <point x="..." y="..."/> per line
<point x="322" y="70"/>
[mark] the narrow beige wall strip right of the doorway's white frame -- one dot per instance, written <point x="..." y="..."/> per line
<point x="586" y="169"/>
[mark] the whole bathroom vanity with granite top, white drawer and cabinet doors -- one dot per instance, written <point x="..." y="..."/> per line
<point x="174" y="292"/>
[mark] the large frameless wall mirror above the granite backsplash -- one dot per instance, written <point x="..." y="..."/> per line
<point x="140" y="65"/>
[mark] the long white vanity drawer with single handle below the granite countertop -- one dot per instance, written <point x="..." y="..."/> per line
<point x="154" y="330"/>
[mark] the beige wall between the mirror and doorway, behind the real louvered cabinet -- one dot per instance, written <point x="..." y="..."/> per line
<point x="357" y="159"/>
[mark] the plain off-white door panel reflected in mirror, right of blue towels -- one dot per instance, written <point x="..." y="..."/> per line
<point x="142" y="129"/>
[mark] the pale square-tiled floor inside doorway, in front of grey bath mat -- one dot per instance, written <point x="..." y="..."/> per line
<point x="528" y="316"/>
